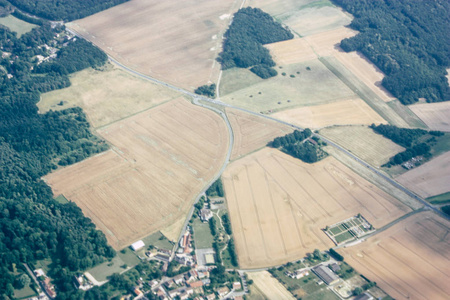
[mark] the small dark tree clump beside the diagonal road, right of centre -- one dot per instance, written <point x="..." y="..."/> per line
<point x="298" y="145"/>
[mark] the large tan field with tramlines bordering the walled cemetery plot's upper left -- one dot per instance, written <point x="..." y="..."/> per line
<point x="278" y="205"/>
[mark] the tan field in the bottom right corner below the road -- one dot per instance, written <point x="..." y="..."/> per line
<point x="409" y="260"/>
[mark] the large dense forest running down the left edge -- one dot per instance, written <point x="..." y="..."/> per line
<point x="33" y="226"/>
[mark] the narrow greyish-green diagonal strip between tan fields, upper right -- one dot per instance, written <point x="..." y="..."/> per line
<point x="364" y="92"/>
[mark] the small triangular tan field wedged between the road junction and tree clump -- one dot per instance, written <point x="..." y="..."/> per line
<point x="252" y="132"/>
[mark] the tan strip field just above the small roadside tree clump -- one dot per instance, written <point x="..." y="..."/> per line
<point x="344" y="112"/>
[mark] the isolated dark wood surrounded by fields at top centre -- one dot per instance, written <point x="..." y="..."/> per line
<point x="243" y="44"/>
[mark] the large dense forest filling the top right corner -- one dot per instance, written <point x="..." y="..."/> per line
<point x="408" y="40"/>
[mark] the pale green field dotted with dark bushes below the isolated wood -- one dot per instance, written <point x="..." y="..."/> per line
<point x="304" y="88"/>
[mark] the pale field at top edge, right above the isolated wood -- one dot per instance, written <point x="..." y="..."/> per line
<point x="304" y="17"/>
